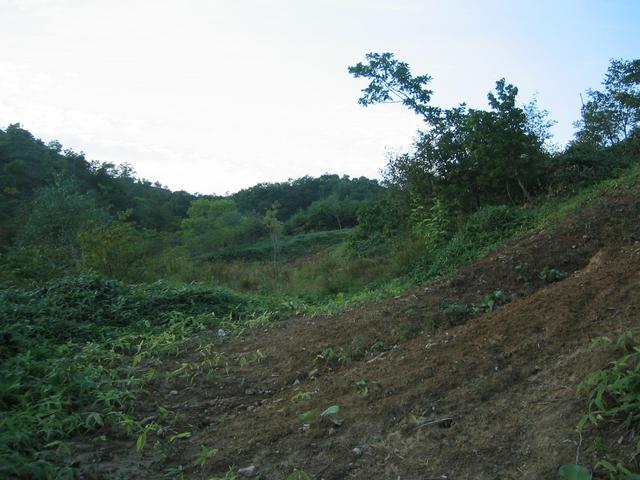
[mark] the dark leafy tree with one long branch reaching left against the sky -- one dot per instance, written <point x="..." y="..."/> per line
<point x="470" y="155"/>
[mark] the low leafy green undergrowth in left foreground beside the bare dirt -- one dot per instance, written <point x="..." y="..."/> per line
<point x="73" y="353"/>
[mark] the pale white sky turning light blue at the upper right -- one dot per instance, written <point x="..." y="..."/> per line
<point x="213" y="96"/>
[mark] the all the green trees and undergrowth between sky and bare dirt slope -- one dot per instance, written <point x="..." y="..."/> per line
<point x="102" y="272"/>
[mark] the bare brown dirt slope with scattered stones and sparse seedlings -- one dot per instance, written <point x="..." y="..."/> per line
<point x="500" y="385"/>
